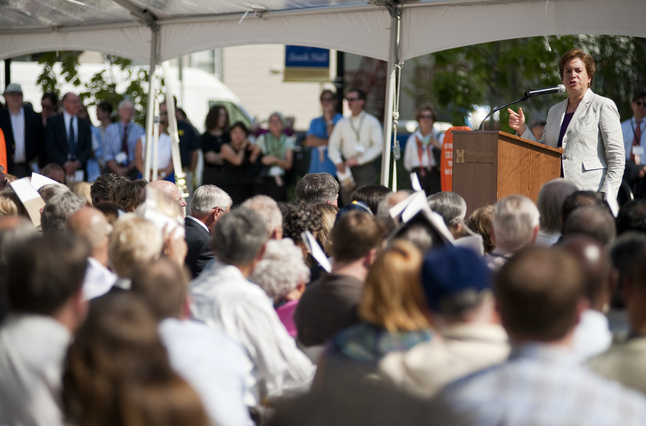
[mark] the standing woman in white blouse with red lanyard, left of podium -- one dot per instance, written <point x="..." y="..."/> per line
<point x="423" y="150"/>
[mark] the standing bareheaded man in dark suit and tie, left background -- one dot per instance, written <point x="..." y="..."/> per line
<point x="69" y="138"/>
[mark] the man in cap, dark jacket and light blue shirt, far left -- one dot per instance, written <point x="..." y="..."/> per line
<point x="23" y="131"/>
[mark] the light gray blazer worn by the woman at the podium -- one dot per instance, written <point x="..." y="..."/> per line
<point x="594" y="157"/>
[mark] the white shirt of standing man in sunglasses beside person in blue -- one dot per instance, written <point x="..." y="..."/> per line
<point x="357" y="137"/>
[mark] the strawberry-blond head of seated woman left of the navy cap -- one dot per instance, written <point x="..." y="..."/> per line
<point x="392" y="295"/>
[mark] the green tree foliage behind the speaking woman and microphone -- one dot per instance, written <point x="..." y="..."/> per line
<point x="498" y="72"/>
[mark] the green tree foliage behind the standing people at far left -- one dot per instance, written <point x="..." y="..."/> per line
<point x="116" y="81"/>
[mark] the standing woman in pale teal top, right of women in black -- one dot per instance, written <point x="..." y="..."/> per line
<point x="277" y="151"/>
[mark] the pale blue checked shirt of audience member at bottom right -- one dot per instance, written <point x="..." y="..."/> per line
<point x="541" y="384"/>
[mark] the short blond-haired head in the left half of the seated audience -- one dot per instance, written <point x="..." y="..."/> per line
<point x="134" y="241"/>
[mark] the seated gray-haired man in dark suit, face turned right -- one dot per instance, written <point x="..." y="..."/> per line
<point x="208" y="205"/>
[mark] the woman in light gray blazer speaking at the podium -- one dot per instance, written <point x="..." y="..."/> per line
<point x="586" y="126"/>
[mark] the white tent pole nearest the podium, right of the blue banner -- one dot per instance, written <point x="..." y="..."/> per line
<point x="393" y="58"/>
